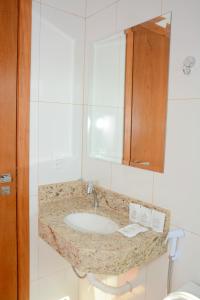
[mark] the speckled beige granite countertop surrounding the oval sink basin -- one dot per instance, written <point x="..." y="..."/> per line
<point x="91" y="252"/>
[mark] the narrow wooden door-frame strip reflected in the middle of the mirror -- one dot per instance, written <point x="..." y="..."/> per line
<point x="128" y="97"/>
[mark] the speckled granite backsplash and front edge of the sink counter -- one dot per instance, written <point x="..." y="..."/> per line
<point x="79" y="257"/>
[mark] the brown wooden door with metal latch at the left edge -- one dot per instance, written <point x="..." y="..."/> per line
<point x="8" y="113"/>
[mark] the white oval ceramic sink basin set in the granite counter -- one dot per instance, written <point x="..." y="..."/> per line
<point x="89" y="222"/>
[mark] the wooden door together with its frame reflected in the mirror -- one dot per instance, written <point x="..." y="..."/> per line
<point x="146" y="84"/>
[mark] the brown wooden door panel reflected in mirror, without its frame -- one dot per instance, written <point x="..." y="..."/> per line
<point x="149" y="102"/>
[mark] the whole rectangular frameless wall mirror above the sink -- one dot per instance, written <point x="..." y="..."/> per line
<point x="127" y="95"/>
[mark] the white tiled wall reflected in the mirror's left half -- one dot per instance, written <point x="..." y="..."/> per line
<point x="106" y="98"/>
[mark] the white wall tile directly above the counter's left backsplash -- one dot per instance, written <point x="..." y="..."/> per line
<point x="60" y="139"/>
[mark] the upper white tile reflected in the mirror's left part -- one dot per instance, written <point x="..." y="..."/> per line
<point x="106" y="71"/>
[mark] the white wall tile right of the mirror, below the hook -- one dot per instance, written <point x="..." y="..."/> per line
<point x="178" y="188"/>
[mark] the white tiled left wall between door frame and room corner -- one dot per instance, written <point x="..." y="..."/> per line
<point x="56" y="129"/>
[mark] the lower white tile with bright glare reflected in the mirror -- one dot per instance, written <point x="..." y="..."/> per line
<point x="105" y="133"/>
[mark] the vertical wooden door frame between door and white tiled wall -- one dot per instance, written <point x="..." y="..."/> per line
<point x="23" y="106"/>
